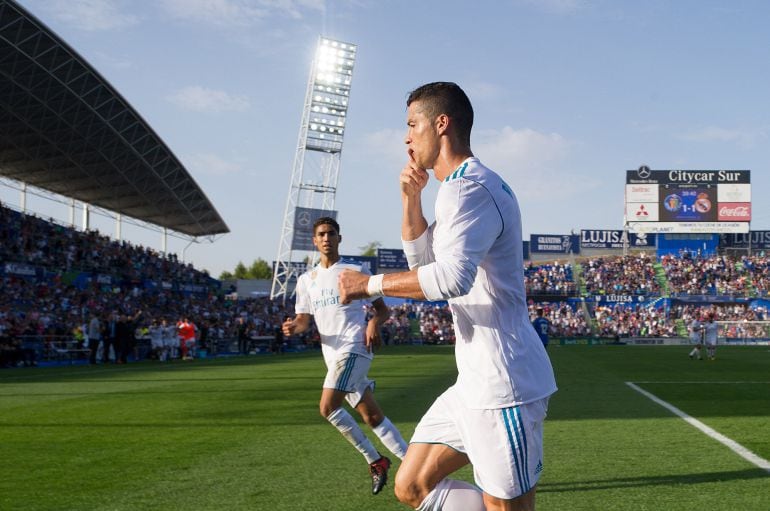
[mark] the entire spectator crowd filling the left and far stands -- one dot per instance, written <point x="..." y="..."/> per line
<point x="47" y="308"/>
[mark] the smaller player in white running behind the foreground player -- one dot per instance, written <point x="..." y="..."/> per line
<point x="347" y="344"/>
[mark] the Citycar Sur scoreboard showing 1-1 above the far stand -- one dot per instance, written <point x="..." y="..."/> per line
<point x="688" y="201"/>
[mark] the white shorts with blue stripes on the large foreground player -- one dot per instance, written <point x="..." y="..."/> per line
<point x="505" y="445"/>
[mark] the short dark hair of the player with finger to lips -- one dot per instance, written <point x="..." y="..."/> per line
<point x="446" y="98"/>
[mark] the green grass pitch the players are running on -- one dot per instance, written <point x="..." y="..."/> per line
<point x="245" y="434"/>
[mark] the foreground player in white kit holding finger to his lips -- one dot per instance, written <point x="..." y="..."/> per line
<point x="492" y="417"/>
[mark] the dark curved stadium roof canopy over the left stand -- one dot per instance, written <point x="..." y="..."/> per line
<point x="64" y="129"/>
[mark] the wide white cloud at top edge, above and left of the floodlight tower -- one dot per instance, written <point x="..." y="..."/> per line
<point x="237" y="13"/>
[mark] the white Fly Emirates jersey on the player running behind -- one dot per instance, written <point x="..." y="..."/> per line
<point x="342" y="327"/>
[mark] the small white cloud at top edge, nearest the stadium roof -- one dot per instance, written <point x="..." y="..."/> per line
<point x="92" y="15"/>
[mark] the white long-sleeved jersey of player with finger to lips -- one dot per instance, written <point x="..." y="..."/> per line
<point x="472" y="256"/>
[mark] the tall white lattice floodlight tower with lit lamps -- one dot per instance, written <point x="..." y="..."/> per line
<point x="315" y="174"/>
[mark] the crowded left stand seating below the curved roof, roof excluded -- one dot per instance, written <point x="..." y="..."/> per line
<point x="54" y="277"/>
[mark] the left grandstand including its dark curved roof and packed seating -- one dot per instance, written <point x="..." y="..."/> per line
<point x="65" y="130"/>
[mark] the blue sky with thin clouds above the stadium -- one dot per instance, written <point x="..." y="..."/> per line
<point x="568" y="94"/>
